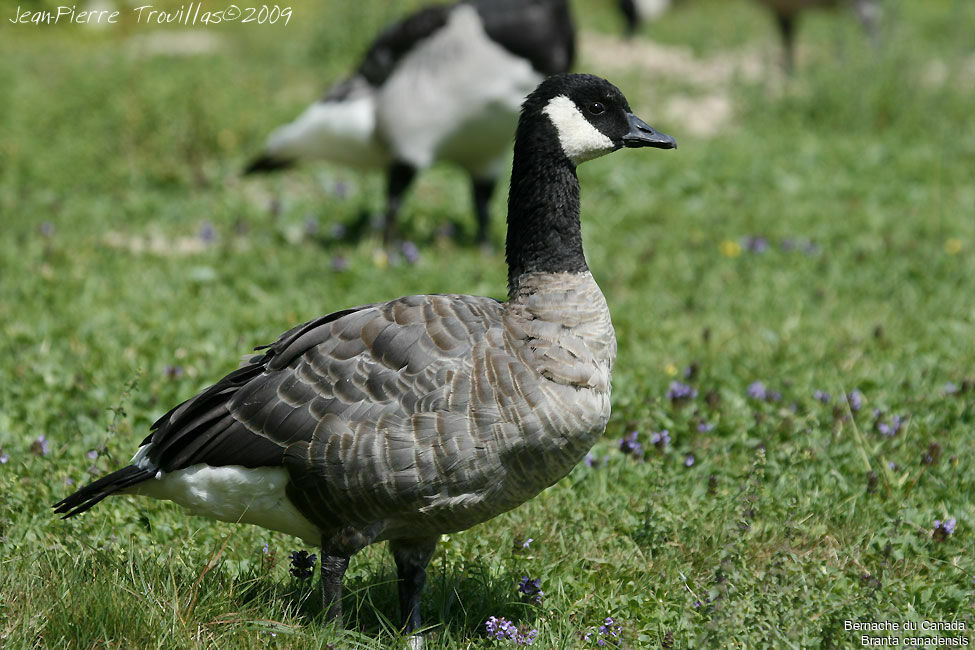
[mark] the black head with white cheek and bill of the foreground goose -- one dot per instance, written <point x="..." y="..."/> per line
<point x="591" y="117"/>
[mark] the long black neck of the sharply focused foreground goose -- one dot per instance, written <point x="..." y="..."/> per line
<point x="544" y="234"/>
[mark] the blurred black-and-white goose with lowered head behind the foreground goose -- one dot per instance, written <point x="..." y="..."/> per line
<point x="446" y="83"/>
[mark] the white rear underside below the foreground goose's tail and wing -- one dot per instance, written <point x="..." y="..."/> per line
<point x="235" y="494"/>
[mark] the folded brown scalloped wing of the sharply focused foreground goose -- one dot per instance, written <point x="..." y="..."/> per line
<point x="356" y="365"/>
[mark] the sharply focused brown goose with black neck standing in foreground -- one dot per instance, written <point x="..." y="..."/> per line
<point x="424" y="415"/>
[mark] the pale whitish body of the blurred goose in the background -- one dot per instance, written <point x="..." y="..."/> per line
<point x="433" y="105"/>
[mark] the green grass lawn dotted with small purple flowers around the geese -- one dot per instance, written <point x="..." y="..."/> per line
<point x="858" y="173"/>
